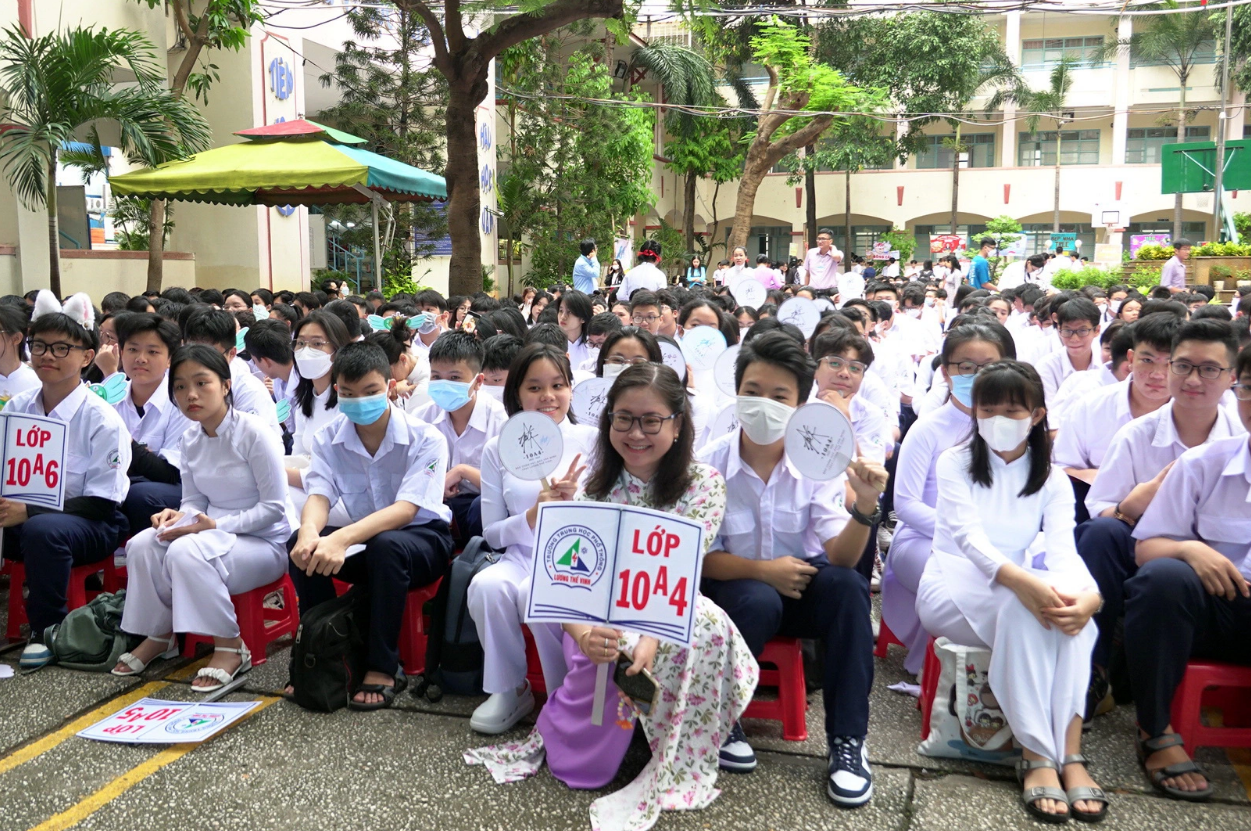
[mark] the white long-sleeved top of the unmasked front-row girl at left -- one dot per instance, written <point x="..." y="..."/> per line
<point x="237" y="479"/>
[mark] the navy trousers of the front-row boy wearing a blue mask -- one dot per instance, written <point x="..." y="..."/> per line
<point x="392" y="564"/>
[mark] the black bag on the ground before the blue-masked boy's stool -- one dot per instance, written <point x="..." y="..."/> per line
<point x="330" y="656"/>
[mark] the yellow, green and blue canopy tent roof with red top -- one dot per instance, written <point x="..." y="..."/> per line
<point x="292" y="163"/>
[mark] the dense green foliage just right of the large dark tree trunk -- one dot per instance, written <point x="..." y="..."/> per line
<point x="587" y="167"/>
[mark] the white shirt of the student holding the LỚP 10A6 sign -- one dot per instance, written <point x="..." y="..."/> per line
<point x="97" y="442"/>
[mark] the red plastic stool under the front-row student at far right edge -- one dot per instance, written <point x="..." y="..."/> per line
<point x="1215" y="685"/>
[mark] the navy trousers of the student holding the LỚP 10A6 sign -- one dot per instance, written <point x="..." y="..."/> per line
<point x="51" y="545"/>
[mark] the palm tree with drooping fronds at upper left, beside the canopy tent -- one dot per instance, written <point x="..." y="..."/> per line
<point x="62" y="84"/>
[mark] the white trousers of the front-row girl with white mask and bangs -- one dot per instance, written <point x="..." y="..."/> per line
<point x="1039" y="676"/>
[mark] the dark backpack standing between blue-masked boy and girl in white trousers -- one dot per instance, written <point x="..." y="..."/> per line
<point x="453" y="654"/>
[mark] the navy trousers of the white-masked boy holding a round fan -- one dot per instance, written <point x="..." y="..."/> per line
<point x="835" y="609"/>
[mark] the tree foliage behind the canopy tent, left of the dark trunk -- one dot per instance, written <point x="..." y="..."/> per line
<point x="398" y="107"/>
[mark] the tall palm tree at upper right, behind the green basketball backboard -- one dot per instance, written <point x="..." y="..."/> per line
<point x="1180" y="42"/>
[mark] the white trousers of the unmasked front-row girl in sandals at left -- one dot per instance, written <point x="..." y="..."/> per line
<point x="187" y="586"/>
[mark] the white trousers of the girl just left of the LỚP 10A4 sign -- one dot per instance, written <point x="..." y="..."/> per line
<point x="497" y="603"/>
